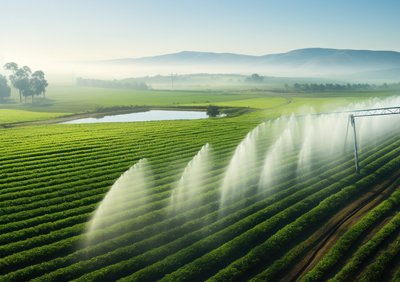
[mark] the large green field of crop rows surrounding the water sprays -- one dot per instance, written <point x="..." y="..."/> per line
<point x="53" y="177"/>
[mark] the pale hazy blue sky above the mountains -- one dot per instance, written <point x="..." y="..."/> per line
<point x="53" y="30"/>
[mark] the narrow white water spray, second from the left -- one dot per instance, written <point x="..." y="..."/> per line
<point x="191" y="184"/>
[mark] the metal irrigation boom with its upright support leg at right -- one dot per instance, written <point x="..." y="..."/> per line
<point x="367" y="113"/>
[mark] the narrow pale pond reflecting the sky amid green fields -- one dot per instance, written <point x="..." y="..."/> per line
<point x="151" y="115"/>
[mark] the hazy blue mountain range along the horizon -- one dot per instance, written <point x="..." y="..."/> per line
<point x="300" y="62"/>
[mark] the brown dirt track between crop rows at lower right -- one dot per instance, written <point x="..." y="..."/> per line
<point x="327" y="235"/>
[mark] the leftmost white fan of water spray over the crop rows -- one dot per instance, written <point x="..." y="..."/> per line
<point x="129" y="189"/>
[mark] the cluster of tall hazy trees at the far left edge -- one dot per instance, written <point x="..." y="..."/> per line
<point x="27" y="82"/>
